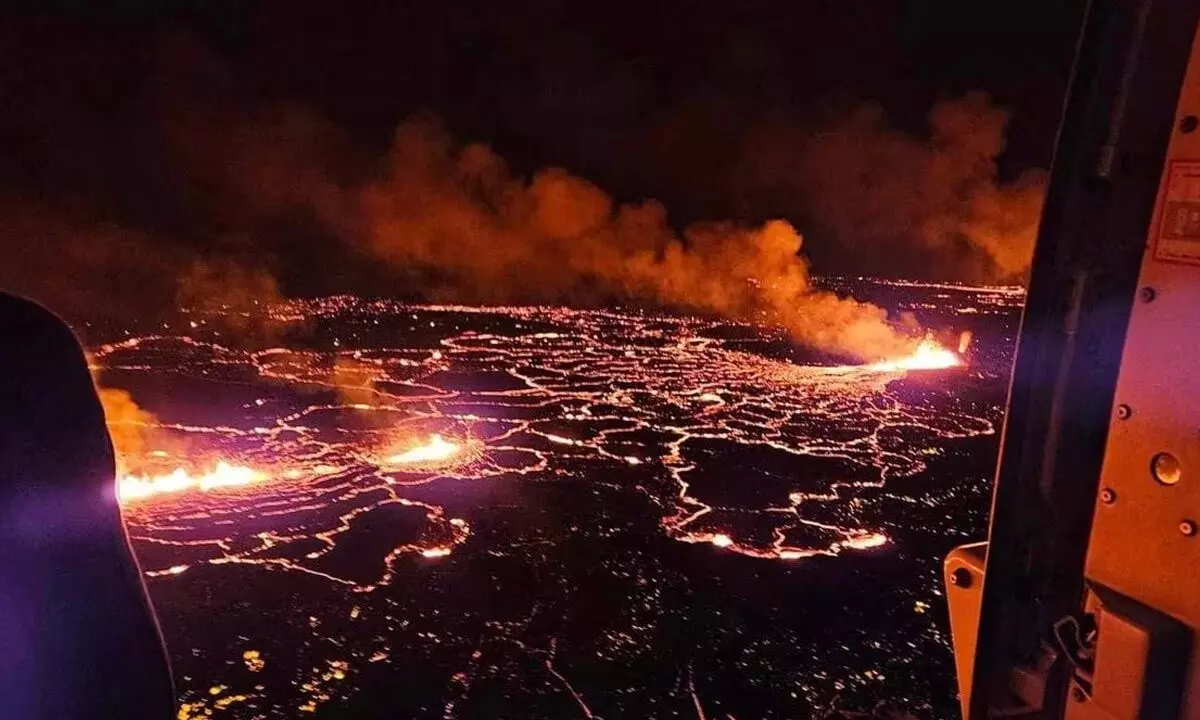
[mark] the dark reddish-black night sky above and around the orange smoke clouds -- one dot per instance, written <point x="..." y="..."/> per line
<point x="646" y="100"/>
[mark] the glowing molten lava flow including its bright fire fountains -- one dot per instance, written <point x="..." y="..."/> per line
<point x="657" y="394"/>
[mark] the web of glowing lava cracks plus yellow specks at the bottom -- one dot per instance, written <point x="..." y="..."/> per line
<point x="375" y="448"/>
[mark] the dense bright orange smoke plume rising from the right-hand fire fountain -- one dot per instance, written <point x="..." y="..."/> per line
<point x="491" y="236"/>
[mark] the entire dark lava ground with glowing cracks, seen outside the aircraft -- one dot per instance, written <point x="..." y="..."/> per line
<point x="550" y="513"/>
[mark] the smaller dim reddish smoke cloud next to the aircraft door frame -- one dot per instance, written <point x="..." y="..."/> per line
<point x="879" y="193"/>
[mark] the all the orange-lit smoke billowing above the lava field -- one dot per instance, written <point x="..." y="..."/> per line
<point x="445" y="220"/>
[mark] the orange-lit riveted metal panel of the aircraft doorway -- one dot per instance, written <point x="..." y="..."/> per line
<point x="1145" y="544"/>
